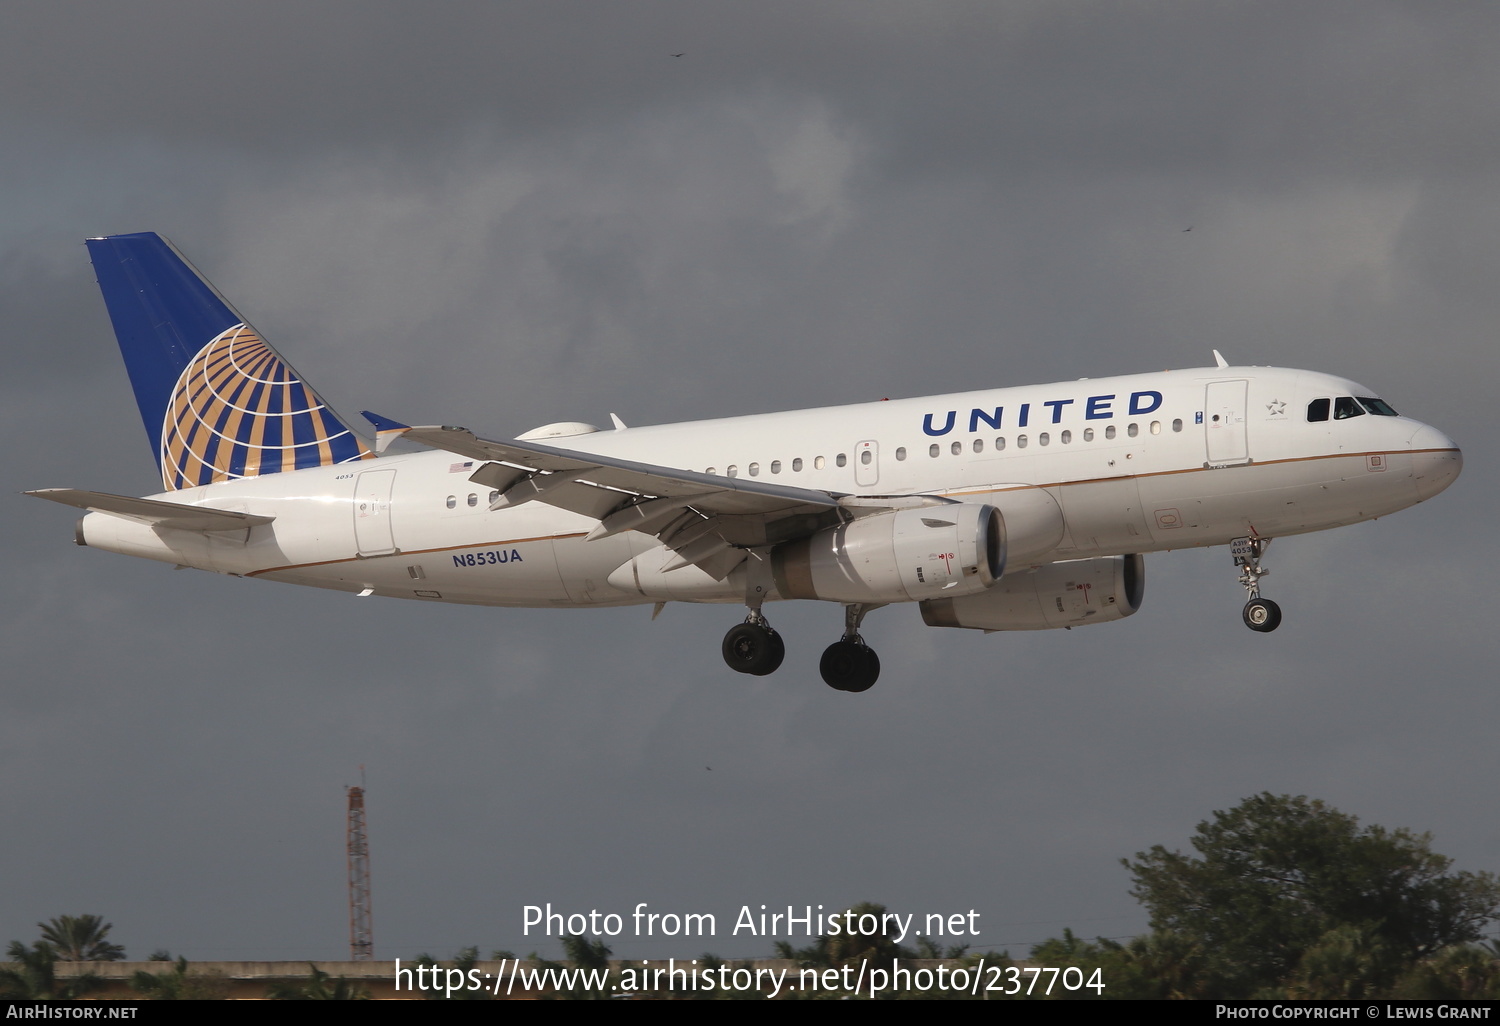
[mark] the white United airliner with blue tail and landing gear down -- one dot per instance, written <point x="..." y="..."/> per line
<point x="1001" y="509"/>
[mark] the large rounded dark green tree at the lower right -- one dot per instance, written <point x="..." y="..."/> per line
<point x="1280" y="877"/>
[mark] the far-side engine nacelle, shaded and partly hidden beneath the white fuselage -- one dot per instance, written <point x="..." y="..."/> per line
<point x="1060" y="595"/>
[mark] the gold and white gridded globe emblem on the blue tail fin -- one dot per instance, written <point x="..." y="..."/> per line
<point x="241" y="412"/>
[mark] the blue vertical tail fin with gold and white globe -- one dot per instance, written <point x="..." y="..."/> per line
<point x="218" y="403"/>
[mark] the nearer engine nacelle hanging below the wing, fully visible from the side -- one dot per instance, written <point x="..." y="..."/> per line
<point x="904" y="556"/>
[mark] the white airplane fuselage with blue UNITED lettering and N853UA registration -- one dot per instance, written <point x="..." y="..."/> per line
<point x="1126" y="466"/>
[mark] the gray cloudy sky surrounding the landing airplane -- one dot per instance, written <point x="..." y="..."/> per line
<point x="509" y="214"/>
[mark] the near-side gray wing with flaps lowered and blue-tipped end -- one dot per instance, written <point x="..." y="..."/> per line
<point x="707" y="521"/>
